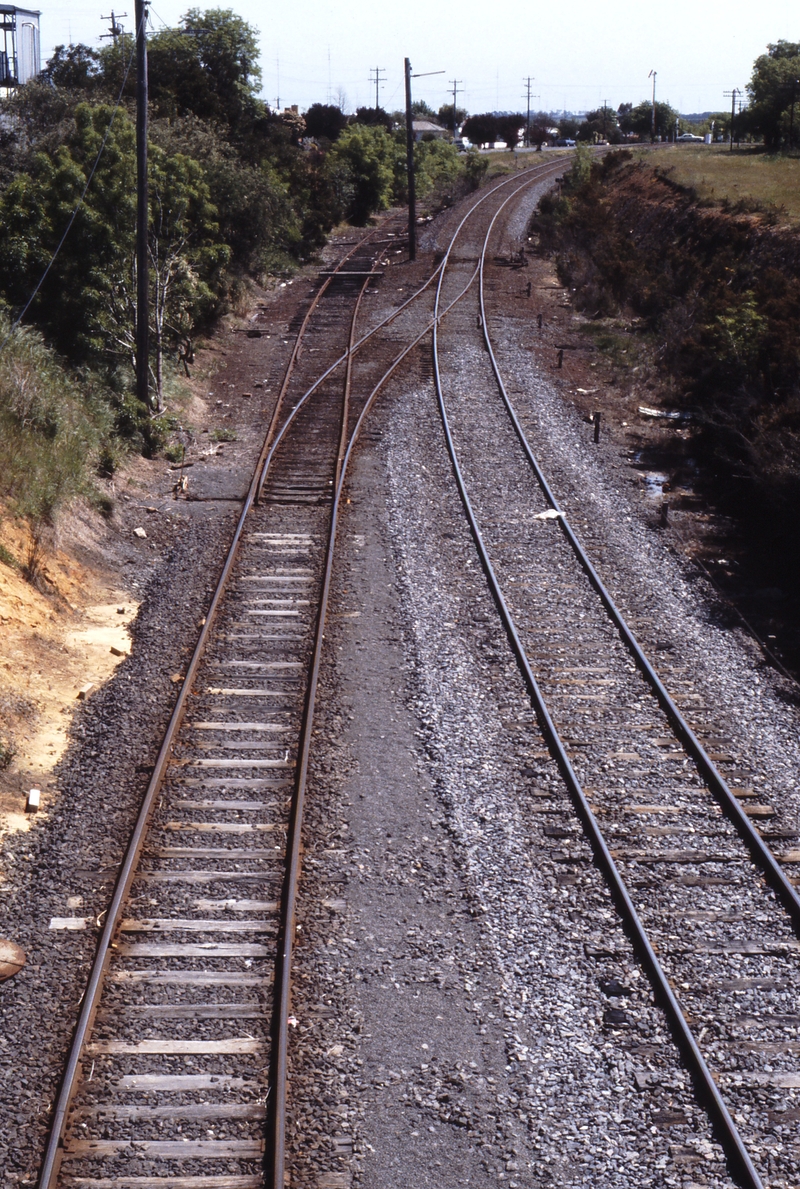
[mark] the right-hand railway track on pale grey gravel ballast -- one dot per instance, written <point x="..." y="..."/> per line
<point x="669" y="809"/>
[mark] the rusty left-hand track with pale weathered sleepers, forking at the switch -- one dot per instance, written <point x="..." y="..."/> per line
<point x="177" y="1074"/>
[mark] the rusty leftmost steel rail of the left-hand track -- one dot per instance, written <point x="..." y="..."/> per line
<point x="91" y="998"/>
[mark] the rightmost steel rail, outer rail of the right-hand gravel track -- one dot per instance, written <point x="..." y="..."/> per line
<point x="717" y="784"/>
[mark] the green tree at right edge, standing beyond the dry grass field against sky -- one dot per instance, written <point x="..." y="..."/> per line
<point x="774" y="92"/>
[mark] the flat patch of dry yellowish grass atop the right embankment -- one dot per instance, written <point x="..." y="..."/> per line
<point x="717" y="174"/>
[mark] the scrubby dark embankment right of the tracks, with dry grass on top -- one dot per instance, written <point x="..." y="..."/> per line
<point x="696" y="251"/>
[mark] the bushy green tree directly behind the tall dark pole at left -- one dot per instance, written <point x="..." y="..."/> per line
<point x="87" y="301"/>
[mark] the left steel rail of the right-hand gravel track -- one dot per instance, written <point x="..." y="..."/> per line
<point x="732" y="1141"/>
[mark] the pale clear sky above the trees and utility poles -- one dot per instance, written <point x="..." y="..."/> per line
<point x="578" y="55"/>
